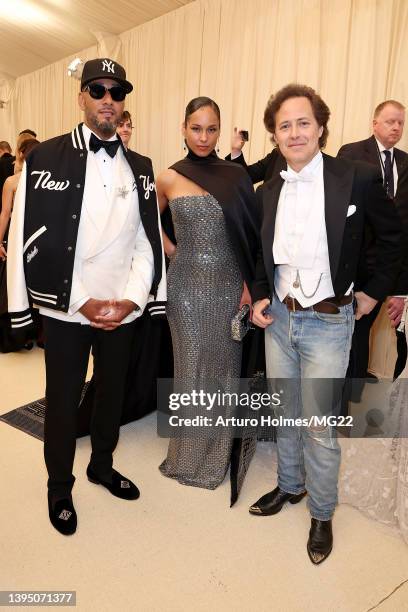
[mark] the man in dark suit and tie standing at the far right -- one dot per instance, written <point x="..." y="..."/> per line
<point x="380" y="150"/>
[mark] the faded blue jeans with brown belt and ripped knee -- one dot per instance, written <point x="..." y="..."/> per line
<point x="302" y="348"/>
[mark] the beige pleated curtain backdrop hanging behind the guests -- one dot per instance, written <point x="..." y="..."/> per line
<point x="354" y="52"/>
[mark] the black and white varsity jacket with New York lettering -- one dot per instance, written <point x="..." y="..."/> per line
<point x="45" y="221"/>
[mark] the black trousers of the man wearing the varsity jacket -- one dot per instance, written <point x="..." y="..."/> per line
<point x="67" y="348"/>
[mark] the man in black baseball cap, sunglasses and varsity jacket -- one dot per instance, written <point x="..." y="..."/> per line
<point x="85" y="247"/>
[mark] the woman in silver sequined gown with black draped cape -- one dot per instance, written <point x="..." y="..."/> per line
<point x="213" y="211"/>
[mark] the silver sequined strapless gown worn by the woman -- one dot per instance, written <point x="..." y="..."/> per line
<point x="204" y="290"/>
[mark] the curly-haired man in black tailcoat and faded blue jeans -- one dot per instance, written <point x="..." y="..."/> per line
<point x="314" y="214"/>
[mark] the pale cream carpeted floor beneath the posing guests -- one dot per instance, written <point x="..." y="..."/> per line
<point x="178" y="548"/>
